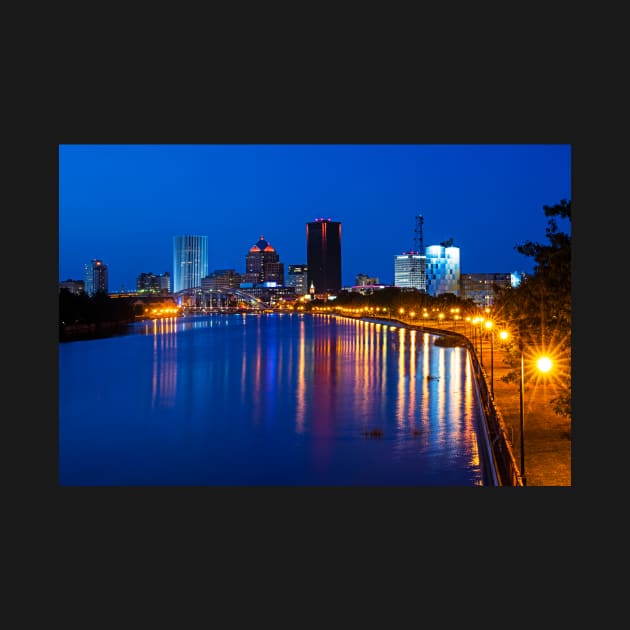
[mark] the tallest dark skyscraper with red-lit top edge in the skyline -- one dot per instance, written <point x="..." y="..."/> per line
<point x="323" y="255"/>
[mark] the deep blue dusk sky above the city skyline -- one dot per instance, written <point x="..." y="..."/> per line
<point x="124" y="203"/>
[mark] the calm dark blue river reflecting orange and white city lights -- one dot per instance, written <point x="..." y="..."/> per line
<point x="267" y="400"/>
